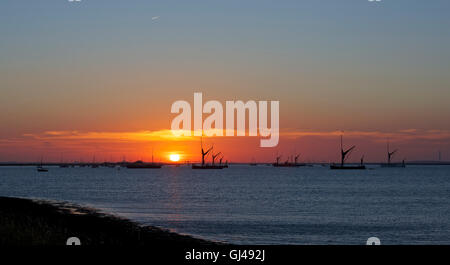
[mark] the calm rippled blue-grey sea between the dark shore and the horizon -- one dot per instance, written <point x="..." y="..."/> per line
<point x="259" y="205"/>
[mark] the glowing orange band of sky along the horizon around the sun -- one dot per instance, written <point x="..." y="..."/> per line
<point x="160" y="145"/>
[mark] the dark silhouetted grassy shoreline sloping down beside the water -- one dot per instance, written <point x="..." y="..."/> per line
<point x="30" y="222"/>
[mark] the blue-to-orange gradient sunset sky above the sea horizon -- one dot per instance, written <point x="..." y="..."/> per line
<point x="99" y="77"/>
